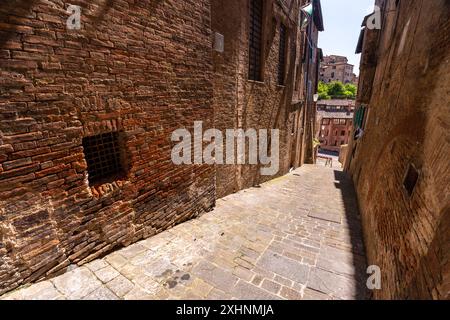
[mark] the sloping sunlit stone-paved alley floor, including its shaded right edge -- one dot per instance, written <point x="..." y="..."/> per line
<point x="296" y="237"/>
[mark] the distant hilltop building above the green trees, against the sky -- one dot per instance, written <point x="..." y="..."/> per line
<point x="337" y="68"/>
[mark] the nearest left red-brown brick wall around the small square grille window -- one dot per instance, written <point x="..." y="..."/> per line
<point x="139" y="67"/>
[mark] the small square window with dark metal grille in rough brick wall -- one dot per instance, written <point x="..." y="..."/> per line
<point x="102" y="154"/>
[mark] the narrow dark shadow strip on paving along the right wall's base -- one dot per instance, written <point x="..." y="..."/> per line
<point x="345" y="185"/>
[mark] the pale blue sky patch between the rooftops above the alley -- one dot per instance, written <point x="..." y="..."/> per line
<point x="342" y="21"/>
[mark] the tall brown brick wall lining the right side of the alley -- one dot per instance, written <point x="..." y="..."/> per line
<point x="408" y="123"/>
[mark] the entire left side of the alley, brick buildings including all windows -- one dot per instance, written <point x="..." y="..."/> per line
<point x="87" y="116"/>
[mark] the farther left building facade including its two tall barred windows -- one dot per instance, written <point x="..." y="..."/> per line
<point x="265" y="79"/>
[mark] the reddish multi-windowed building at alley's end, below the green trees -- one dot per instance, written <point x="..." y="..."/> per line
<point x="335" y="123"/>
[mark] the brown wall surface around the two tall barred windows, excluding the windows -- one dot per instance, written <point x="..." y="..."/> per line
<point x="247" y="104"/>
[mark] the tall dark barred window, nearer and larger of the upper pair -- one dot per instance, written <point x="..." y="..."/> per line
<point x="255" y="41"/>
